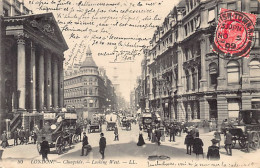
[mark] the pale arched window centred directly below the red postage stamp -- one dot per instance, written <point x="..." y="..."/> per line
<point x="233" y="72"/>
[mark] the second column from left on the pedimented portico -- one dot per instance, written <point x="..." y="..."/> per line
<point x="32" y="78"/>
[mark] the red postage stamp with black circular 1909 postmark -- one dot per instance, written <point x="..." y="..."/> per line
<point x="234" y="33"/>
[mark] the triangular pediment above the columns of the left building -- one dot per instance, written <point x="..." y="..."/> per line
<point x="41" y="25"/>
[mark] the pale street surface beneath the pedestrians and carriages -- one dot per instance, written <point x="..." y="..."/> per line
<point x="125" y="150"/>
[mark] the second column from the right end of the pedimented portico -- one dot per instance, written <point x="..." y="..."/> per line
<point x="55" y="82"/>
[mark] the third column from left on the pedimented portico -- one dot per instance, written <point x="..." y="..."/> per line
<point x="41" y="78"/>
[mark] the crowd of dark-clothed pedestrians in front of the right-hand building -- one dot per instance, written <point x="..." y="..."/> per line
<point x="193" y="142"/>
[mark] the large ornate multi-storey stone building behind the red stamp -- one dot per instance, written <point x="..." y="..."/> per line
<point x="186" y="80"/>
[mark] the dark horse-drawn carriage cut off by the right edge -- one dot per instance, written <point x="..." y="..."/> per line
<point x="247" y="131"/>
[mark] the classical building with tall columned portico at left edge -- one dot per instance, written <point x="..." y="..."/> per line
<point x="32" y="75"/>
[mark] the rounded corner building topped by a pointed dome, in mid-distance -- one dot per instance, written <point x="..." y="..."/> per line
<point x="88" y="89"/>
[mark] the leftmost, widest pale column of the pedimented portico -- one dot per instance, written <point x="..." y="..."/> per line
<point x="21" y="71"/>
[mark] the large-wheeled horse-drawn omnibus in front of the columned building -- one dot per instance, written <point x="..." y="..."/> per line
<point x="58" y="130"/>
